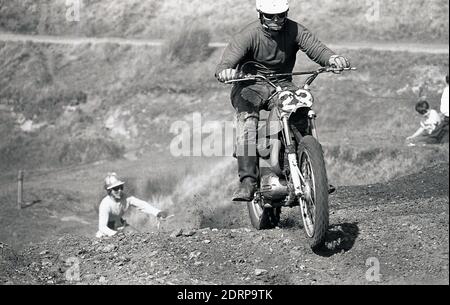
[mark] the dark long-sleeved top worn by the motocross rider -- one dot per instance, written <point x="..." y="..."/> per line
<point x="276" y="51"/>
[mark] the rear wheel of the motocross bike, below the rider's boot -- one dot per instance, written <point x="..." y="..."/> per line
<point x="263" y="218"/>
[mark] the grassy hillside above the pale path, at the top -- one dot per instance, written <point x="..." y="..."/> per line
<point x="334" y="21"/>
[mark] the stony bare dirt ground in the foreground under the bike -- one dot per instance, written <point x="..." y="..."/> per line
<point x="403" y="225"/>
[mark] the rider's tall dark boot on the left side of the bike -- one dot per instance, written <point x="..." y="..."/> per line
<point x="249" y="171"/>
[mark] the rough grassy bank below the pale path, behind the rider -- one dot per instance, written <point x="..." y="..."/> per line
<point x="68" y="105"/>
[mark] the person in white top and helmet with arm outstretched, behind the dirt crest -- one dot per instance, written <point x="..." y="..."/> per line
<point x="116" y="203"/>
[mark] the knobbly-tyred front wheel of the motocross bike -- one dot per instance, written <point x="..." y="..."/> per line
<point x="314" y="204"/>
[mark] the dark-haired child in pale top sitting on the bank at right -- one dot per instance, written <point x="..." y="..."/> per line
<point x="429" y="130"/>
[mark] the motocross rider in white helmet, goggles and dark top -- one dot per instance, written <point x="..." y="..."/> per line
<point x="273" y="41"/>
